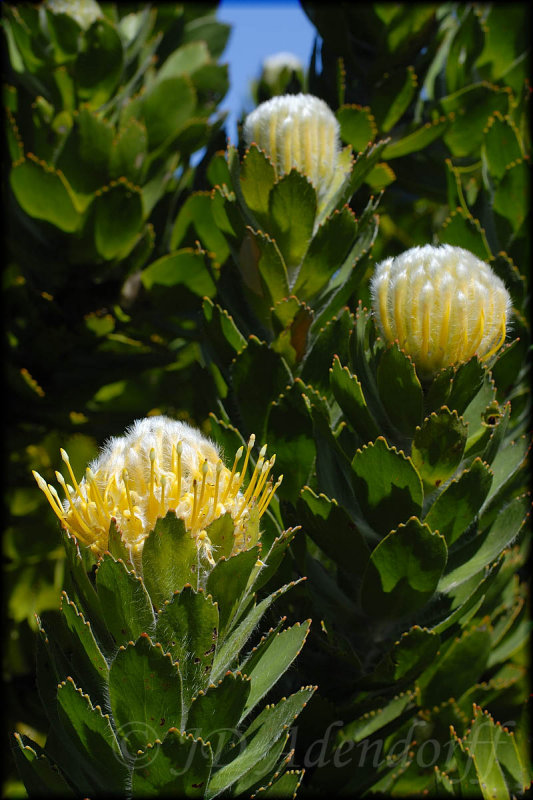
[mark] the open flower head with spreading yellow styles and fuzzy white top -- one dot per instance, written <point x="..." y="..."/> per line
<point x="160" y="465"/>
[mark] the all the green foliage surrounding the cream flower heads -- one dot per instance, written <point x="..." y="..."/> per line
<point x="411" y="495"/>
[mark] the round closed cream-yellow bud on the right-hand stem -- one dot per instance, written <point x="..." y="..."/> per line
<point x="442" y="304"/>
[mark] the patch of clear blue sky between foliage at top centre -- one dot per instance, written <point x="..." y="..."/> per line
<point x="259" y="28"/>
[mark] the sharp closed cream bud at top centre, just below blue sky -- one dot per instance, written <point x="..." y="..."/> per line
<point x="297" y="131"/>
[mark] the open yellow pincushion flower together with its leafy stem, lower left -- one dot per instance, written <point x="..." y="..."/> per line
<point x="144" y="677"/>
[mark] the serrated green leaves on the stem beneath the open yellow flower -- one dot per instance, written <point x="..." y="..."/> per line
<point x="149" y="680"/>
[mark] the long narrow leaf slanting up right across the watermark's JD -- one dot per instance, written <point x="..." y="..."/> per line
<point x="258" y="739"/>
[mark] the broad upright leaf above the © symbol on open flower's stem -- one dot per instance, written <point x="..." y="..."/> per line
<point x="145" y="693"/>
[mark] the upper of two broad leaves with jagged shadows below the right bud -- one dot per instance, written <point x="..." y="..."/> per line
<point x="386" y="485"/>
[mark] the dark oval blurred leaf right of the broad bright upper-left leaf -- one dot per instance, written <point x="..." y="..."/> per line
<point x="118" y="219"/>
